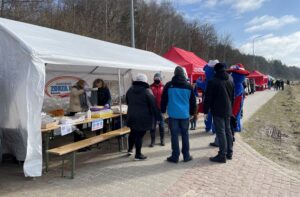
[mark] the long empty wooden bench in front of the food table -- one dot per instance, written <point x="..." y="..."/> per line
<point x="70" y="149"/>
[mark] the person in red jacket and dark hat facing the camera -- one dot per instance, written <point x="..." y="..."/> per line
<point x="157" y="89"/>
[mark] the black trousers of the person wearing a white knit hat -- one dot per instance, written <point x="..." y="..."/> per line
<point x="136" y="138"/>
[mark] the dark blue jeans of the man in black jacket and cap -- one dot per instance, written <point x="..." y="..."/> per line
<point x="224" y="135"/>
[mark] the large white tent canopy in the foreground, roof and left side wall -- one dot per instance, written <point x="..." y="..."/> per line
<point x="27" y="53"/>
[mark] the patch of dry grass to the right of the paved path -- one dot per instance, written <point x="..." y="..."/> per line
<point x="274" y="131"/>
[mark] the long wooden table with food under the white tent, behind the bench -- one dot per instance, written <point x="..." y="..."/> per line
<point x="46" y="133"/>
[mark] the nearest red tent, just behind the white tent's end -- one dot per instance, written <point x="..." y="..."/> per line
<point x="191" y="62"/>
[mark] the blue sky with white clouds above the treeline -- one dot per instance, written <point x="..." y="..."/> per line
<point x="276" y="21"/>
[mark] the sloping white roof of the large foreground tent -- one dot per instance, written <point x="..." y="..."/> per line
<point x="56" y="48"/>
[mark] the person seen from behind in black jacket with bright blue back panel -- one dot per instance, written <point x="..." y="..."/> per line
<point x="179" y="101"/>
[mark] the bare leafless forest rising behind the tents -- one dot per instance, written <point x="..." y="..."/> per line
<point x="157" y="28"/>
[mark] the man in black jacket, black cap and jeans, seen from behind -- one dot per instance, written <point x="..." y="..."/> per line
<point x="219" y="98"/>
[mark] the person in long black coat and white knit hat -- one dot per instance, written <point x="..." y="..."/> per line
<point x="142" y="113"/>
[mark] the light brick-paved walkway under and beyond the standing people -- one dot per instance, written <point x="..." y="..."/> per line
<point x="113" y="174"/>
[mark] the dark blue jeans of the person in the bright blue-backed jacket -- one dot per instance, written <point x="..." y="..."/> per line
<point x="179" y="126"/>
